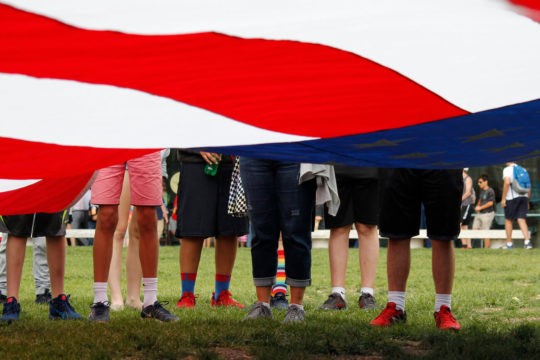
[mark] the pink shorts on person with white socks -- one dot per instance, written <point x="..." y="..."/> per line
<point x="144" y="182"/>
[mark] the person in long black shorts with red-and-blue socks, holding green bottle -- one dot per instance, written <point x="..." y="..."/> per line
<point x="202" y="213"/>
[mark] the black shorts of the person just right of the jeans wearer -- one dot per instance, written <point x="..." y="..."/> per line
<point x="359" y="203"/>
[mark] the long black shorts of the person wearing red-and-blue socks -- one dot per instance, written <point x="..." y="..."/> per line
<point x="202" y="203"/>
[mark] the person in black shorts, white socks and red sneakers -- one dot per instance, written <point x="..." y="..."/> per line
<point x="405" y="192"/>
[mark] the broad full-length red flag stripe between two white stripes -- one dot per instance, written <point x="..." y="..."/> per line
<point x="285" y="86"/>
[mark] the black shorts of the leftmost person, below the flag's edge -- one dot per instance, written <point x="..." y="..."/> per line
<point x="35" y="225"/>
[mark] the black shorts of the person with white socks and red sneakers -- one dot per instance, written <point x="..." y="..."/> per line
<point x="406" y="189"/>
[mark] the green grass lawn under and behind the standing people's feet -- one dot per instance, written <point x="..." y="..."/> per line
<point x="496" y="299"/>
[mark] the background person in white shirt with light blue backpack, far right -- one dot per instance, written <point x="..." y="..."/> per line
<point x="515" y="206"/>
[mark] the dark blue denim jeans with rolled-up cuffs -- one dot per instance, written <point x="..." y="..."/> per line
<point x="277" y="204"/>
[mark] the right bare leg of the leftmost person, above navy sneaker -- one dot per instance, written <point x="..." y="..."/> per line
<point x="56" y="259"/>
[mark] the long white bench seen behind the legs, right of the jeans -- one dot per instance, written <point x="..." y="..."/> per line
<point x="320" y="237"/>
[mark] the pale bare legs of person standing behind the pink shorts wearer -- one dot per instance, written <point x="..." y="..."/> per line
<point x="133" y="263"/>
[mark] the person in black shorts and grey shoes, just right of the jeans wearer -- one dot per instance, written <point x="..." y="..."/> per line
<point x="358" y="190"/>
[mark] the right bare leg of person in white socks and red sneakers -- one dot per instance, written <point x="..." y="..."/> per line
<point x="442" y="265"/>
